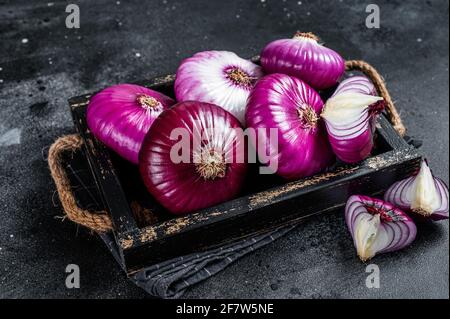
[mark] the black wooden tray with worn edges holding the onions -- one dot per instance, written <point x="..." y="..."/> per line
<point x="266" y="202"/>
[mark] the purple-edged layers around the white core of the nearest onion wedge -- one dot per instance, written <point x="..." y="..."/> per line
<point x="394" y="220"/>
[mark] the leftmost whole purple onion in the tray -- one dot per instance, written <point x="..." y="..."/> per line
<point x="116" y="117"/>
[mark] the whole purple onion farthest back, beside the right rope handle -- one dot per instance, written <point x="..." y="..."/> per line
<point x="303" y="57"/>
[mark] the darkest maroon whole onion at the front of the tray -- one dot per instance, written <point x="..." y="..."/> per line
<point x="179" y="187"/>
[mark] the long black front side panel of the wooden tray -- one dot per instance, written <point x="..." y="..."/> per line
<point x="250" y="220"/>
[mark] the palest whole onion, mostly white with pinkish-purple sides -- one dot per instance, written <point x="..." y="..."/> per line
<point x="205" y="77"/>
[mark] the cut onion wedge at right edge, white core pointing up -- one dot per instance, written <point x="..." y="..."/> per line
<point x="422" y="194"/>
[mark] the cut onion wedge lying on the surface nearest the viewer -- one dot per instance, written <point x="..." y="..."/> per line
<point x="377" y="226"/>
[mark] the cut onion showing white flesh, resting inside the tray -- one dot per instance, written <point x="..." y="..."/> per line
<point x="350" y="116"/>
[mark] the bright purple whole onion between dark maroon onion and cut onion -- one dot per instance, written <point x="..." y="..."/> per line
<point x="275" y="102"/>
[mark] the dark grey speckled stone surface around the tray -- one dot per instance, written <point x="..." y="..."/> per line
<point x="315" y="261"/>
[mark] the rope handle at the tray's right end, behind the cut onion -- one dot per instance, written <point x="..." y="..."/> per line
<point x="380" y="85"/>
